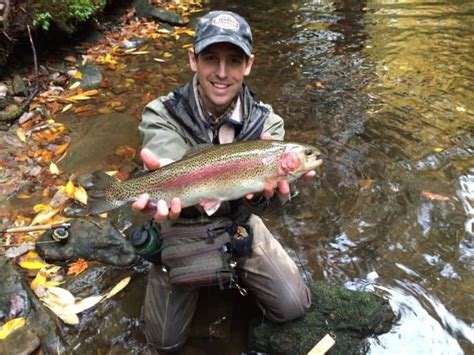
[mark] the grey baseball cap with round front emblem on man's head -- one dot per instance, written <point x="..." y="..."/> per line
<point x="223" y="26"/>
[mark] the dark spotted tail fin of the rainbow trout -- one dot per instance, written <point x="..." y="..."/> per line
<point x="97" y="201"/>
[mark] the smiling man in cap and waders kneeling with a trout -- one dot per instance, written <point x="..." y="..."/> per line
<point x="215" y="107"/>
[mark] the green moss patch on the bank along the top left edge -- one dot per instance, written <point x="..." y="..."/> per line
<point x="65" y="14"/>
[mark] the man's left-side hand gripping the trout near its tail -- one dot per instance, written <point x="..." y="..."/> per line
<point x="163" y="211"/>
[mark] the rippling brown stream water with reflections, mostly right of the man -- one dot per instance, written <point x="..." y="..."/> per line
<point x="385" y="89"/>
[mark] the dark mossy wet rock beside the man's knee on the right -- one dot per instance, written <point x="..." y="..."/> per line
<point x="350" y="316"/>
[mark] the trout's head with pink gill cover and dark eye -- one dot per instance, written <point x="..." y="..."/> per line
<point x="298" y="158"/>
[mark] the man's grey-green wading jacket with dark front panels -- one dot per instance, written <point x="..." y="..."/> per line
<point x="172" y="124"/>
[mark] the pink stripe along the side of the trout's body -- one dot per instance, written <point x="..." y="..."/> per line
<point x="211" y="172"/>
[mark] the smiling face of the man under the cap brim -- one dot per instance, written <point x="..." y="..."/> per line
<point x="220" y="70"/>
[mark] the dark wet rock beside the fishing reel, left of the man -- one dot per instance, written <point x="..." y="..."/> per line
<point x="90" y="239"/>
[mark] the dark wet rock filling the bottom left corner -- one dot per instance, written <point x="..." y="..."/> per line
<point x="17" y="300"/>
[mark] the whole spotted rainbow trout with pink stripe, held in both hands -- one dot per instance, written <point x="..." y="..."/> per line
<point x="217" y="173"/>
